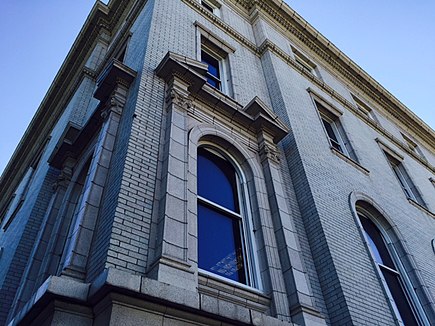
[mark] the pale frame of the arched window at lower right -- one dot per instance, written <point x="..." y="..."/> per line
<point x="400" y="271"/>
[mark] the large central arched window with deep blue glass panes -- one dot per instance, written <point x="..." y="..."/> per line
<point x="222" y="236"/>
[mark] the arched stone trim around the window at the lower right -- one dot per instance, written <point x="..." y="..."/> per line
<point x="361" y="202"/>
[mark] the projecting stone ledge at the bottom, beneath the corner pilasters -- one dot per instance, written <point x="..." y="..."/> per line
<point x="136" y="290"/>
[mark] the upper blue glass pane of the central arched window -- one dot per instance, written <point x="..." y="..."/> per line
<point x="217" y="180"/>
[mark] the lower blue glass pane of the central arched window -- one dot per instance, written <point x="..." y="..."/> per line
<point x="219" y="244"/>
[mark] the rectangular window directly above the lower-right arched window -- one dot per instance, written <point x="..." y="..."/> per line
<point x="335" y="132"/>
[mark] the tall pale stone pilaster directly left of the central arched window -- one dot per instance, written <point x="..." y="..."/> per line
<point x="171" y="264"/>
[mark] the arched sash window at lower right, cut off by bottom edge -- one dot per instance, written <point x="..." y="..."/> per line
<point x="396" y="284"/>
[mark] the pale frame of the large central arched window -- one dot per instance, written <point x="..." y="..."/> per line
<point x="249" y="247"/>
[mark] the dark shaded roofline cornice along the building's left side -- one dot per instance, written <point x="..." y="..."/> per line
<point x="102" y="17"/>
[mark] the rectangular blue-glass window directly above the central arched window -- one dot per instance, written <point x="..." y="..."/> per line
<point x="218" y="68"/>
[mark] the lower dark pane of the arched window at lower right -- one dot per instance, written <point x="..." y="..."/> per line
<point x="399" y="296"/>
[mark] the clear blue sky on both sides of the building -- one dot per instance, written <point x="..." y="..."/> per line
<point x="392" y="40"/>
